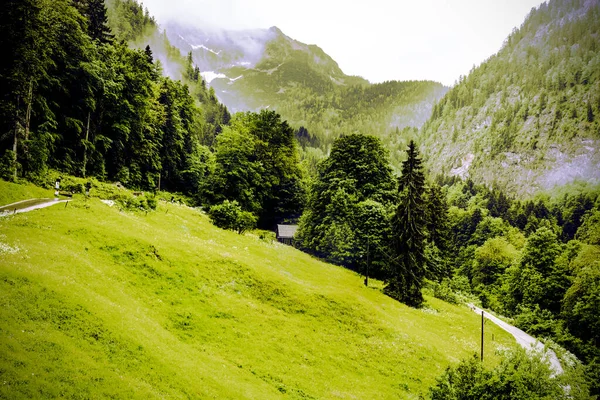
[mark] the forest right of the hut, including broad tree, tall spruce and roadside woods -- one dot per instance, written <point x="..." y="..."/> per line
<point x="536" y="261"/>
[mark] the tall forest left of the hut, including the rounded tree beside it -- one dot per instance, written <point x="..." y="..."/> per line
<point x="78" y="100"/>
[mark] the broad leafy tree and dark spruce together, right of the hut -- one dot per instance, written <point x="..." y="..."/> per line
<point x="359" y="215"/>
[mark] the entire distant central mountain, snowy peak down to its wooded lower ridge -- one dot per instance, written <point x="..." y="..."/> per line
<point x="256" y="69"/>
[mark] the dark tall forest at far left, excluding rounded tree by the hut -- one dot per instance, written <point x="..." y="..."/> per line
<point x="80" y="102"/>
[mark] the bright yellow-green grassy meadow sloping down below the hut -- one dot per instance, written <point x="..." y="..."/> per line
<point x="98" y="302"/>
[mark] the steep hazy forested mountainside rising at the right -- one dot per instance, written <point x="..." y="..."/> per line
<point x="528" y="118"/>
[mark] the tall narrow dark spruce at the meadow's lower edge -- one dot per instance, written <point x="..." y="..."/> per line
<point x="408" y="267"/>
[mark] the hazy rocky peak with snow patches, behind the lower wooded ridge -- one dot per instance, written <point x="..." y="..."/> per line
<point x="251" y="69"/>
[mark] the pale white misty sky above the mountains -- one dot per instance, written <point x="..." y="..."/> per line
<point x="376" y="39"/>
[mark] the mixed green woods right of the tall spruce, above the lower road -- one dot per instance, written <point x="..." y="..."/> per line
<point x="523" y="264"/>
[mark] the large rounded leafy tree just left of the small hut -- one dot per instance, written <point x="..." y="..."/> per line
<point x="257" y="165"/>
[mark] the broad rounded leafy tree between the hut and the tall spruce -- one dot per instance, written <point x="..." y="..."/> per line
<point x="347" y="211"/>
